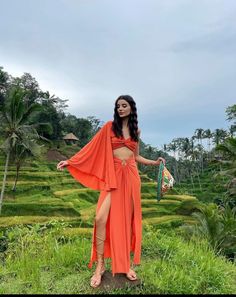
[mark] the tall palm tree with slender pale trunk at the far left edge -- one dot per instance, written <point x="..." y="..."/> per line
<point x="14" y="128"/>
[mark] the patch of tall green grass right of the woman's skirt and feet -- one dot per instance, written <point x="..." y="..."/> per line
<point x="180" y="267"/>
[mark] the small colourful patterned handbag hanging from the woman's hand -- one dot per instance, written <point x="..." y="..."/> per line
<point x="165" y="181"/>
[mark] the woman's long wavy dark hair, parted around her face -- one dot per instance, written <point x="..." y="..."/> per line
<point x="132" y="121"/>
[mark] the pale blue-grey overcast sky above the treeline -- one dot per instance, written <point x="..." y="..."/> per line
<point x="176" y="58"/>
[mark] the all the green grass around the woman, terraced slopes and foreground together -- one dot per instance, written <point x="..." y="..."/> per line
<point x="47" y="224"/>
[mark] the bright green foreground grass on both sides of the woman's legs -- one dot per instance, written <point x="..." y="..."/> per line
<point x="43" y="260"/>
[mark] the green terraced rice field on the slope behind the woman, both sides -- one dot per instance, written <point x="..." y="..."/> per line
<point x="44" y="194"/>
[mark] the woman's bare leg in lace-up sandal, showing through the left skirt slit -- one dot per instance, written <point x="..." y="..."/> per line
<point x="101" y="220"/>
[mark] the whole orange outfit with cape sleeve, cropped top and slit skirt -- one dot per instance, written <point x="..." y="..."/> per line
<point x="95" y="166"/>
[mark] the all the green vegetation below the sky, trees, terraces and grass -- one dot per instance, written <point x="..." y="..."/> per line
<point x="46" y="223"/>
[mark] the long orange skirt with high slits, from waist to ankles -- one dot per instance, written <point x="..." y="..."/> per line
<point x="123" y="227"/>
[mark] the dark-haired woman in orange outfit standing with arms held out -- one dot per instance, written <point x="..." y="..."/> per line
<point x="108" y="163"/>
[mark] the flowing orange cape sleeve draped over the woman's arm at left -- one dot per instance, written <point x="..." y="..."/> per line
<point x="93" y="165"/>
